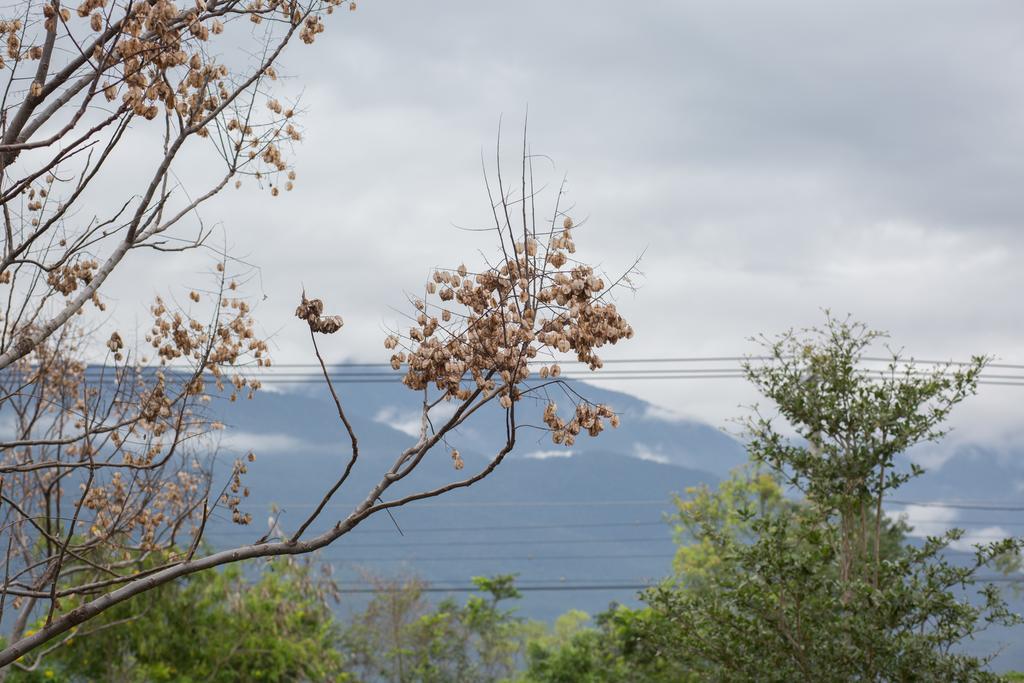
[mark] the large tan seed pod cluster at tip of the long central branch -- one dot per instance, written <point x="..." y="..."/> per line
<point x="484" y="331"/>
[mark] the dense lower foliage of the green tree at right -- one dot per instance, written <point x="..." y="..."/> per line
<point x="778" y="611"/>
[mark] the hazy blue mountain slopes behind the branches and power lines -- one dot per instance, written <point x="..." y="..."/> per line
<point x="593" y="518"/>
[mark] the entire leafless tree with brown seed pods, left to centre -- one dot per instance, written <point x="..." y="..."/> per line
<point x="106" y="483"/>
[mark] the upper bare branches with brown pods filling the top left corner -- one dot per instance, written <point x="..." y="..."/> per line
<point x="80" y="88"/>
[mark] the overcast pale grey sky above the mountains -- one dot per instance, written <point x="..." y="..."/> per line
<point x="771" y="159"/>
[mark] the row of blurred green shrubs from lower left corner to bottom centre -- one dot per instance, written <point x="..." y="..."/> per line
<point x="225" y="627"/>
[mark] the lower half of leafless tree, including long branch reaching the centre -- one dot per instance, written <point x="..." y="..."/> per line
<point x="489" y="336"/>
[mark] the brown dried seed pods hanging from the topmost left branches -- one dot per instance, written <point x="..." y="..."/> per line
<point x="155" y="59"/>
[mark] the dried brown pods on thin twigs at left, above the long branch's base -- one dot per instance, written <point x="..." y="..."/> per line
<point x="135" y="428"/>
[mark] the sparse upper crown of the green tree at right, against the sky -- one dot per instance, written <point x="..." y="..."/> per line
<point x="852" y="423"/>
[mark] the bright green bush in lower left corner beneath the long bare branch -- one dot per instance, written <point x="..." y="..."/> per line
<point x="216" y="626"/>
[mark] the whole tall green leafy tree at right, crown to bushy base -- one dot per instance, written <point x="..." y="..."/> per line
<point x="817" y="591"/>
